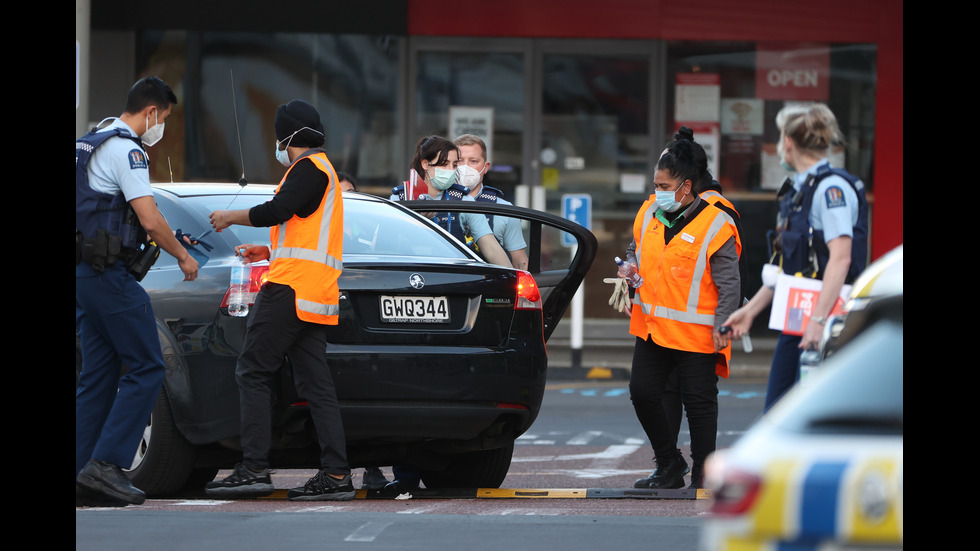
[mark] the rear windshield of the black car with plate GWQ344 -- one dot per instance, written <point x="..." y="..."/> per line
<point x="372" y="228"/>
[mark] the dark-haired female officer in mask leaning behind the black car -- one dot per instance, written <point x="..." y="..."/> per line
<point x="433" y="175"/>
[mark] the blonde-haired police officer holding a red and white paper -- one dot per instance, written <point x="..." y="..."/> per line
<point x="823" y="233"/>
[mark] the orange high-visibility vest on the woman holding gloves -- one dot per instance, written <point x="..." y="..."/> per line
<point x="676" y="304"/>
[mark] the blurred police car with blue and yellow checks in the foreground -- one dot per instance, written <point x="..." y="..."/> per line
<point x="824" y="468"/>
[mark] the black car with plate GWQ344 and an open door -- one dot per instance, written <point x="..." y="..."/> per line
<point x="439" y="358"/>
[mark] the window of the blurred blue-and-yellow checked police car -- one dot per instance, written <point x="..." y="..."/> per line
<point x="861" y="391"/>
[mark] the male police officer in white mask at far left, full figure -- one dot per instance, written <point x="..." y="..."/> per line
<point x="115" y="212"/>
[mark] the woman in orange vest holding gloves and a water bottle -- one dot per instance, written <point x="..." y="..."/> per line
<point x="687" y="253"/>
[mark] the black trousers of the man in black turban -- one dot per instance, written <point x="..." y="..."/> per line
<point x="273" y="332"/>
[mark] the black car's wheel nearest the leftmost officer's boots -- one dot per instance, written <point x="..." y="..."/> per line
<point x="165" y="459"/>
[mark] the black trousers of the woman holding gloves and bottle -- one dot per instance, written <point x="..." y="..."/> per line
<point x="697" y="385"/>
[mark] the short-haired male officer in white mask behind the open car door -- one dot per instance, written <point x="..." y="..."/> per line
<point x="473" y="153"/>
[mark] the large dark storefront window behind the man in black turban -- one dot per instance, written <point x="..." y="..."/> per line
<point x="233" y="83"/>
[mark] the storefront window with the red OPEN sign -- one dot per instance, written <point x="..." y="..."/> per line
<point x="730" y="92"/>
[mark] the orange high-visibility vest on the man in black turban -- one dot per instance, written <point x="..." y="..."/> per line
<point x="307" y="252"/>
